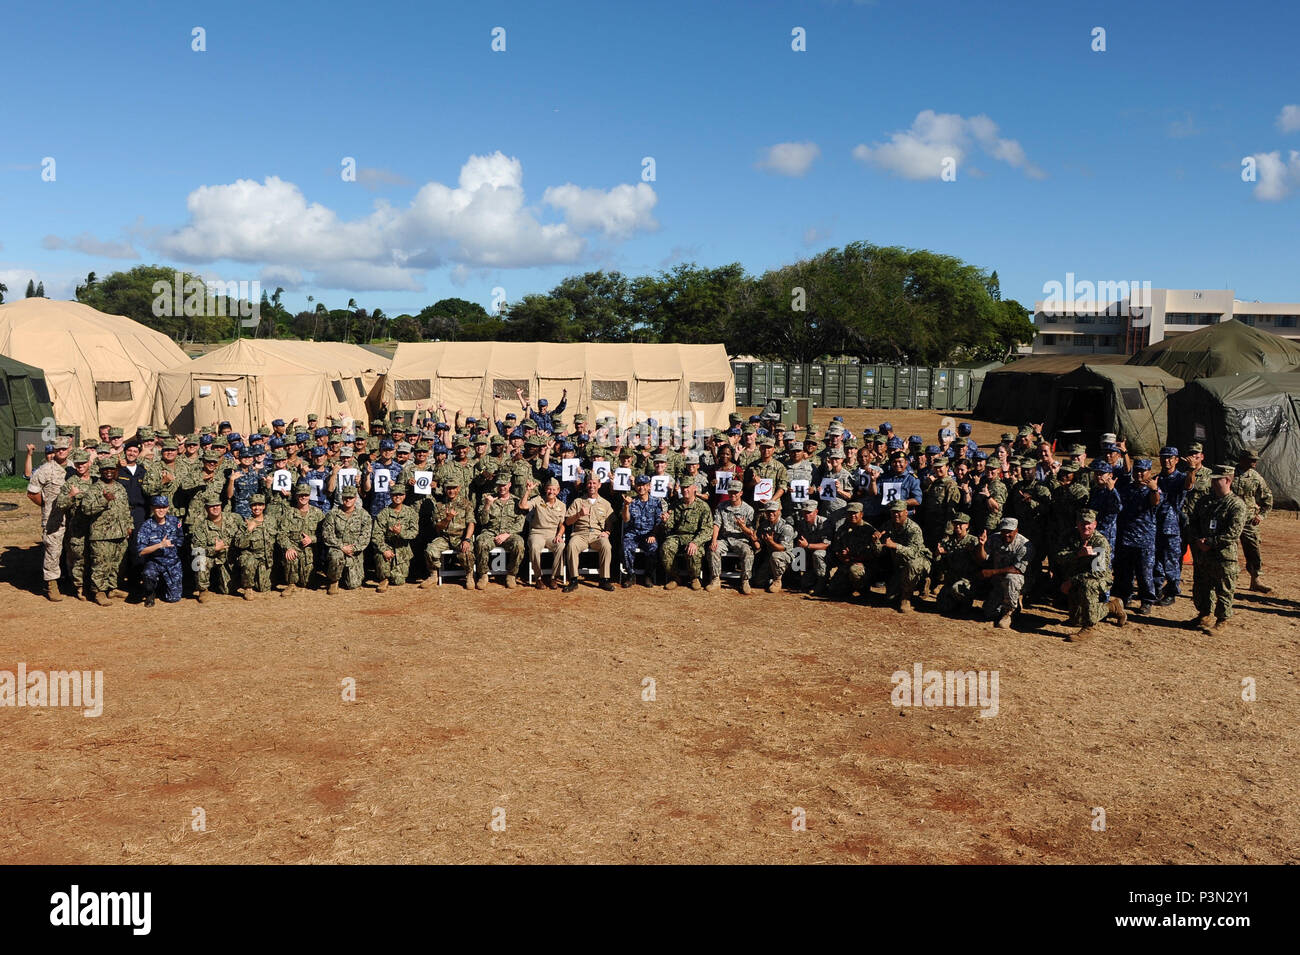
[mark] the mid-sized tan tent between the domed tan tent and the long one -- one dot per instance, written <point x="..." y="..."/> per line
<point x="254" y="381"/>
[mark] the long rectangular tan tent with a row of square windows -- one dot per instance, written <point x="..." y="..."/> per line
<point x="629" y="381"/>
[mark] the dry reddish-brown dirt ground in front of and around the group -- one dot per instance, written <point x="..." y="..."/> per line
<point x="530" y="707"/>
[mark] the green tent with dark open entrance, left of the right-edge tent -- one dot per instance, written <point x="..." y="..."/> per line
<point x="1132" y="402"/>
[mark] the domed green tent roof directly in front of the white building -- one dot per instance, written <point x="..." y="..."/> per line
<point x="1220" y="350"/>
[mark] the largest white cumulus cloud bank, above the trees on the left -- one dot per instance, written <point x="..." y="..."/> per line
<point x="483" y="222"/>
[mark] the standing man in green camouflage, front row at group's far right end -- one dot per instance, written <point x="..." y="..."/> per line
<point x="1215" y="529"/>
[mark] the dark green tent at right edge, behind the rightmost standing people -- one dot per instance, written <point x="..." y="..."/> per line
<point x="1245" y="413"/>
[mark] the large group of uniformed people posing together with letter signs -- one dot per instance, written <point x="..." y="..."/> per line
<point x="522" y="498"/>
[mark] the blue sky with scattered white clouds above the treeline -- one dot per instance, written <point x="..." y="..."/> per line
<point x="482" y="170"/>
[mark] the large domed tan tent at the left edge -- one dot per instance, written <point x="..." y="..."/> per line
<point x="99" y="368"/>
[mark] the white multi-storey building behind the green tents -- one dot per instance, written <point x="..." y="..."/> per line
<point x="1150" y="316"/>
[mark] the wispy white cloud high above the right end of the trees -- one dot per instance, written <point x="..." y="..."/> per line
<point x="920" y="153"/>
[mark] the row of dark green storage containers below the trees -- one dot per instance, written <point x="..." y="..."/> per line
<point x="859" y="387"/>
